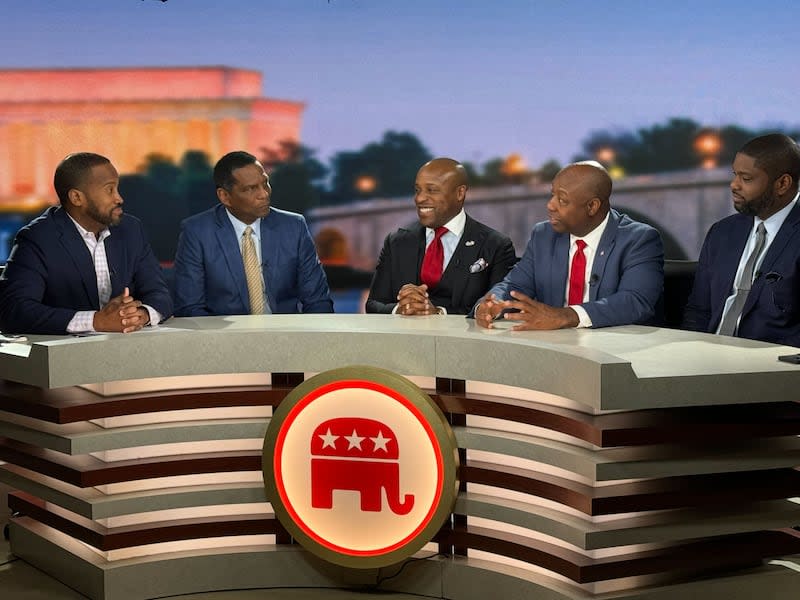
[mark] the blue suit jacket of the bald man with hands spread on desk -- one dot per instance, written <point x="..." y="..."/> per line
<point x="627" y="277"/>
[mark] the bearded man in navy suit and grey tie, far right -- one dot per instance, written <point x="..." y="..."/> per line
<point x="765" y="190"/>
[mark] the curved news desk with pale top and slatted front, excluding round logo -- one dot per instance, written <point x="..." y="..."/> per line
<point x="630" y="462"/>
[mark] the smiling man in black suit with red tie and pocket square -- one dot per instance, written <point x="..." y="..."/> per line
<point x="446" y="261"/>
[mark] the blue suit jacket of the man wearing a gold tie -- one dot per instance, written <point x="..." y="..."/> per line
<point x="209" y="272"/>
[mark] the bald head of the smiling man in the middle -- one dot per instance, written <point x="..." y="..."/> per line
<point x="439" y="191"/>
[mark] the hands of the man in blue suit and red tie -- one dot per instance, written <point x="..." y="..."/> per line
<point x="531" y="314"/>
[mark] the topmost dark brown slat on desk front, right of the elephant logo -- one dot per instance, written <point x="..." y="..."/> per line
<point x="644" y="427"/>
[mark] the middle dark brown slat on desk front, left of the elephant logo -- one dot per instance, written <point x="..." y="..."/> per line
<point x="86" y="471"/>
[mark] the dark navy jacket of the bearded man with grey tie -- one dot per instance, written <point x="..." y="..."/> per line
<point x="772" y="310"/>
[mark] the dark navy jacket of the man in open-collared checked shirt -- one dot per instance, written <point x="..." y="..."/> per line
<point x="50" y="274"/>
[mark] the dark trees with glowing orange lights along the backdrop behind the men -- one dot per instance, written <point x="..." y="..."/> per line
<point x="164" y="192"/>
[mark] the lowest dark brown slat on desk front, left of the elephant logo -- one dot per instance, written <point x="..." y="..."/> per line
<point x="114" y="538"/>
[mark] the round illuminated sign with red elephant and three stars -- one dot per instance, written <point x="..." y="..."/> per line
<point x="360" y="466"/>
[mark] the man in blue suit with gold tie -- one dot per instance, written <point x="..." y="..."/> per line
<point x="210" y="276"/>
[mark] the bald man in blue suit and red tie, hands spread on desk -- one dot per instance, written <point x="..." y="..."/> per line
<point x="616" y="279"/>
